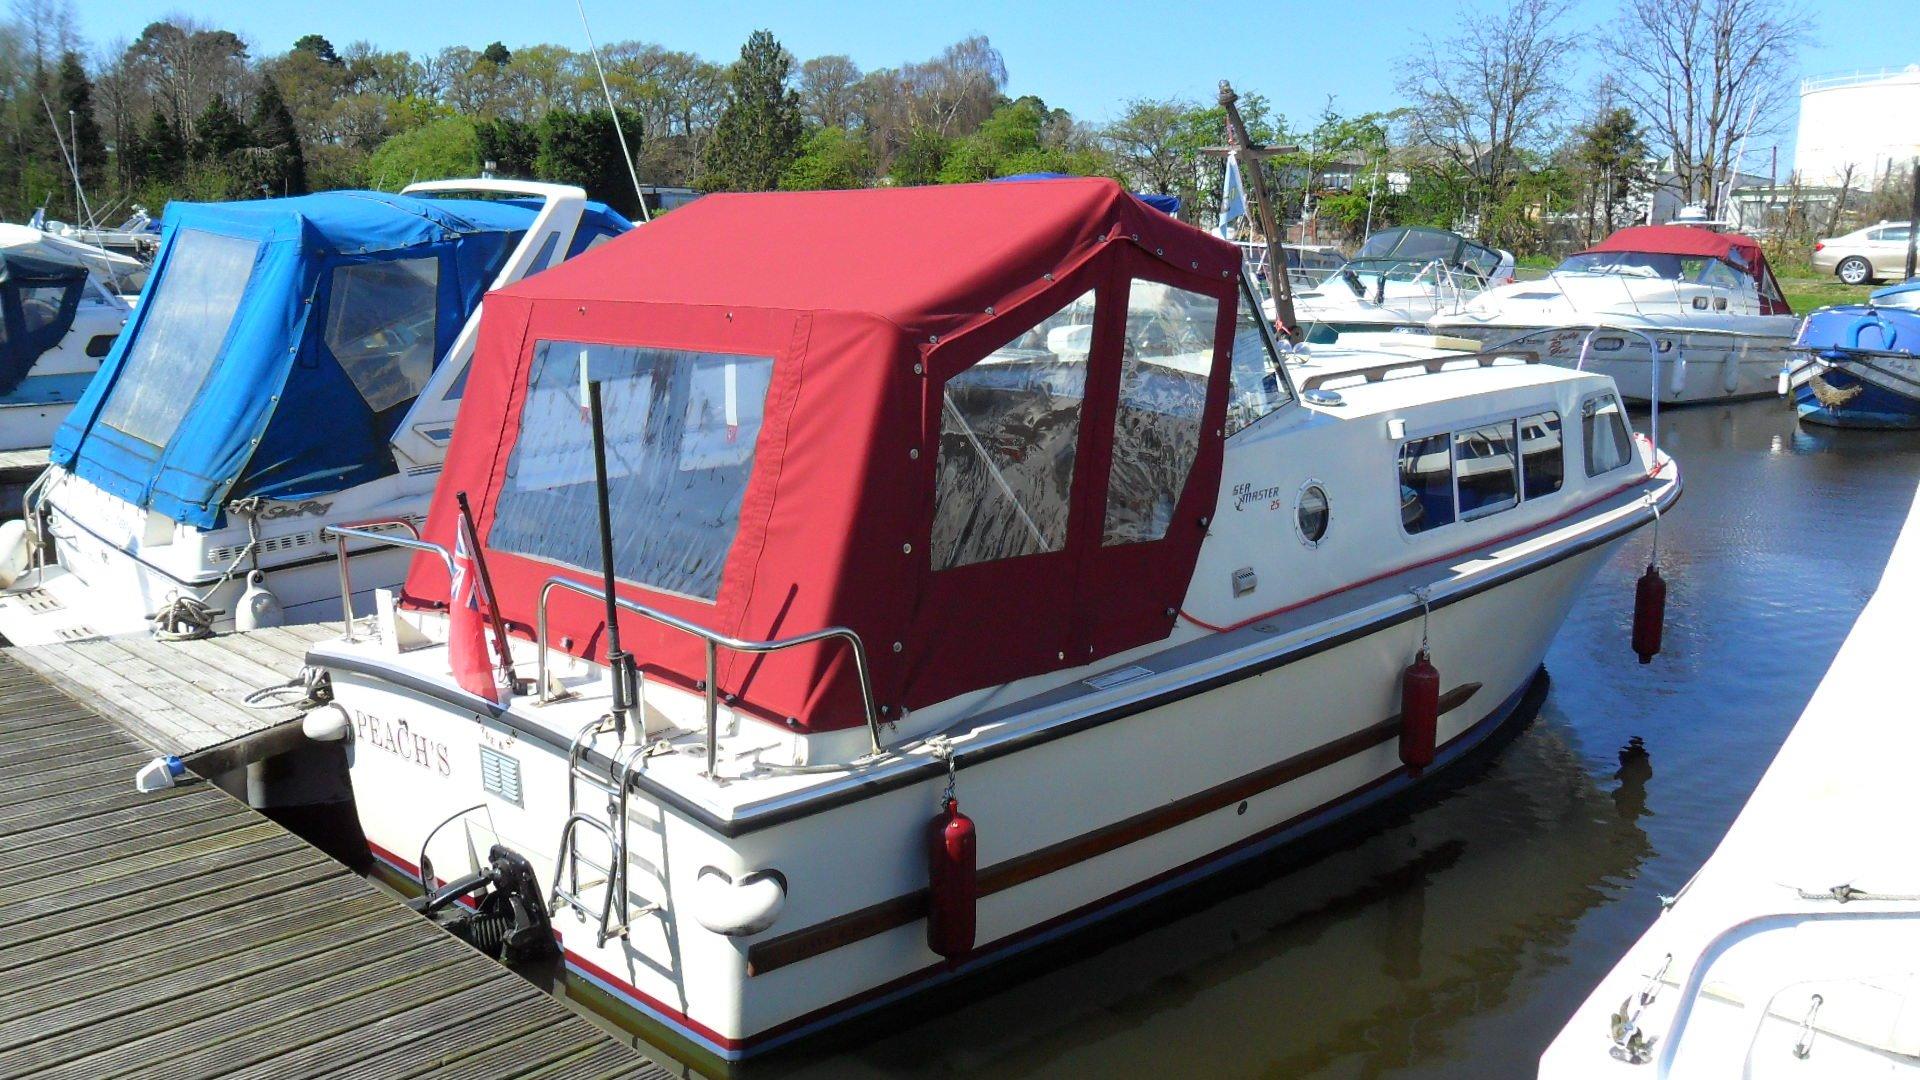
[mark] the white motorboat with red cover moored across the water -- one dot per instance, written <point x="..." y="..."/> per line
<point x="1694" y="307"/>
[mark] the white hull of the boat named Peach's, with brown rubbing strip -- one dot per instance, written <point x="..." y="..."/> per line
<point x="1259" y="749"/>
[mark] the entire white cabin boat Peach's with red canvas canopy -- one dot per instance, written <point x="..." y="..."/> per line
<point x="984" y="574"/>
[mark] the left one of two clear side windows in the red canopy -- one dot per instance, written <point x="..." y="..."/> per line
<point x="1009" y="439"/>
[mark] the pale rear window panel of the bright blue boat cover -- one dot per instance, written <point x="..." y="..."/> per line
<point x="181" y="335"/>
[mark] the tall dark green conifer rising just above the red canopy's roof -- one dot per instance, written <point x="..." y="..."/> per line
<point x="759" y="130"/>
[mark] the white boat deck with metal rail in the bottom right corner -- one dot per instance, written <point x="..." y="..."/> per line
<point x="1796" y="948"/>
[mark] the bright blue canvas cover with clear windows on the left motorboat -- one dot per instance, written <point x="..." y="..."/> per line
<point x="228" y="383"/>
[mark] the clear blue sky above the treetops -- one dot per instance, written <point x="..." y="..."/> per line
<point x="1082" y="55"/>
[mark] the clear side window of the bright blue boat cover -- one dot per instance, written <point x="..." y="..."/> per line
<point x="381" y="322"/>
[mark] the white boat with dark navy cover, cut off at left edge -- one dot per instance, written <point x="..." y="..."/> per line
<point x="62" y="305"/>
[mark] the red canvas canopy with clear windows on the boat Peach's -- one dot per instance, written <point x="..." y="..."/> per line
<point x="857" y="314"/>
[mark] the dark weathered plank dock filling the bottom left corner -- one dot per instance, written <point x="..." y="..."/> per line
<point x="181" y="935"/>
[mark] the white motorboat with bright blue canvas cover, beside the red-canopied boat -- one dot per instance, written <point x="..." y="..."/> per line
<point x="293" y="364"/>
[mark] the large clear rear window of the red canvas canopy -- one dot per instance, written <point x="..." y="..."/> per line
<point x="681" y="441"/>
